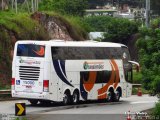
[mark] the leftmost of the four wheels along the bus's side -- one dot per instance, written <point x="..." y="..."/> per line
<point x="67" y="97"/>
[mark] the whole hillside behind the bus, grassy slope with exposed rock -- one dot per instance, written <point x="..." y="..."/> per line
<point x="37" y="26"/>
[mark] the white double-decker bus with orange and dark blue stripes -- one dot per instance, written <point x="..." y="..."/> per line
<point x="70" y="71"/>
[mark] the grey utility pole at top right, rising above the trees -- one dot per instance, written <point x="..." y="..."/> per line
<point x="147" y="12"/>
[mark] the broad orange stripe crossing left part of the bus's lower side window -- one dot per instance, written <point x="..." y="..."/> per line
<point x="88" y="85"/>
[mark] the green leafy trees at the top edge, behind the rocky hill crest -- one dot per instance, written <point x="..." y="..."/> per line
<point x="72" y="7"/>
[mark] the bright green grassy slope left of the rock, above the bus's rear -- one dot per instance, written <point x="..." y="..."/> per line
<point x="23" y="26"/>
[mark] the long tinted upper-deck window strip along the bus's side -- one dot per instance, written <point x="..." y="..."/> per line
<point x="76" y="53"/>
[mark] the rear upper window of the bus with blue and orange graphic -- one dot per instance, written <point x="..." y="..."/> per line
<point x="30" y="50"/>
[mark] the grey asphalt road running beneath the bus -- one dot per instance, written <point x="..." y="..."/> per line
<point x="92" y="111"/>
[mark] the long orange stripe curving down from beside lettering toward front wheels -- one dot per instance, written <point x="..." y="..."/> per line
<point x="110" y="82"/>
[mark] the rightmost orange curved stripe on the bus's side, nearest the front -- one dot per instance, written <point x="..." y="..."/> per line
<point x="117" y="73"/>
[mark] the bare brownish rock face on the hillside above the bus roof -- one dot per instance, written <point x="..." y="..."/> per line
<point x="57" y="27"/>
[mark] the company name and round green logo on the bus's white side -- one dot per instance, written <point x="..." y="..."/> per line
<point x="93" y="65"/>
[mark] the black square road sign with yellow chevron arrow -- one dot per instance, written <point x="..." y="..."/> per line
<point x="20" y="109"/>
